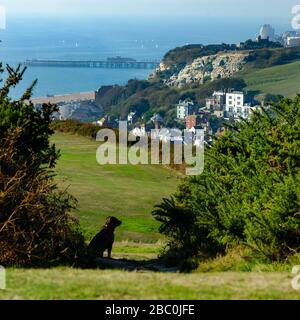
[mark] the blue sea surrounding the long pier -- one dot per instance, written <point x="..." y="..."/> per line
<point x="91" y="38"/>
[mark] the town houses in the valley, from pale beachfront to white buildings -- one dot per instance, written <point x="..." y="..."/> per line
<point x="223" y="106"/>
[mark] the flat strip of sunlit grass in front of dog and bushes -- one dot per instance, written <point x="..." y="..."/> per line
<point x="117" y="285"/>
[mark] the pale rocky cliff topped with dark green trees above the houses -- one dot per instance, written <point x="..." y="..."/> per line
<point x="194" y="65"/>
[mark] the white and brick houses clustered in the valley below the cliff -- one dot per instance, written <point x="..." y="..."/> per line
<point x="225" y="105"/>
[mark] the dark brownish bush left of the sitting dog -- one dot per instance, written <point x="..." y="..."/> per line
<point x="36" y="228"/>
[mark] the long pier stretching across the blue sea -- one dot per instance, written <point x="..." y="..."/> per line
<point x="110" y="63"/>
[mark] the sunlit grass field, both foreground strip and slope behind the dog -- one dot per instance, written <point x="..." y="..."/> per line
<point x="130" y="193"/>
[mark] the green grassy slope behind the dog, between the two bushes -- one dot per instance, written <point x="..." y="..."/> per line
<point x="128" y="192"/>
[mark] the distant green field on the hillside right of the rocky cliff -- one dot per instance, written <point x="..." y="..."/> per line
<point x="283" y="79"/>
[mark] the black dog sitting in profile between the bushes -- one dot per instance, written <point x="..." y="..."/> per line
<point x="105" y="238"/>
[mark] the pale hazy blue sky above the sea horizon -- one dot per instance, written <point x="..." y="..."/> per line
<point x="244" y="8"/>
